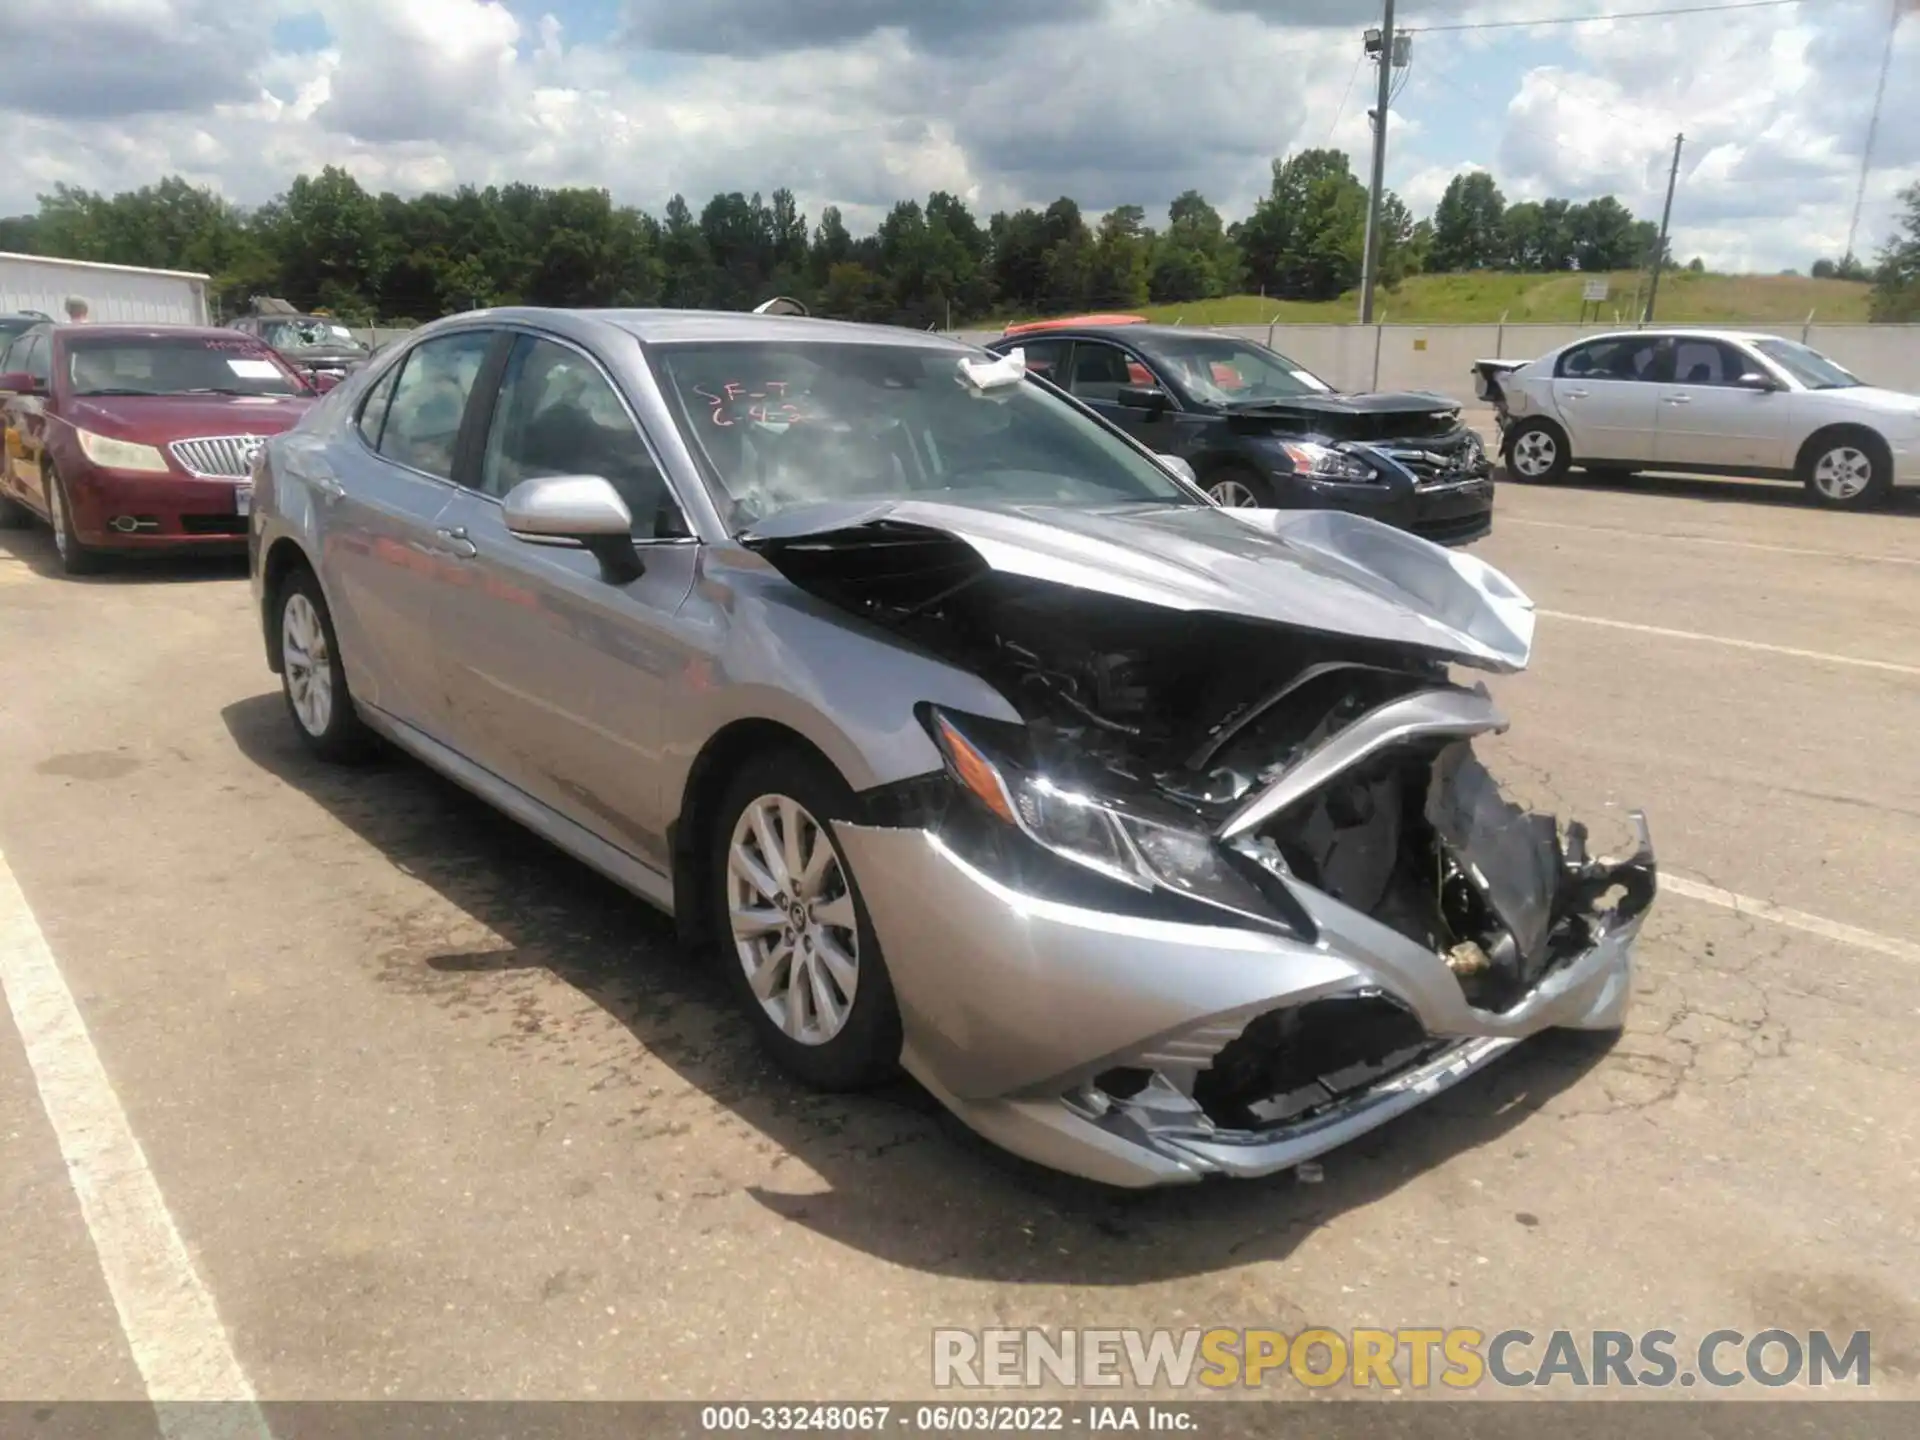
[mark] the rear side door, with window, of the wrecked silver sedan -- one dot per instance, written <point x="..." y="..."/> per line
<point x="387" y="554"/>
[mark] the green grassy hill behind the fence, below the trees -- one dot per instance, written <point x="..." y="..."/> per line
<point x="1481" y="299"/>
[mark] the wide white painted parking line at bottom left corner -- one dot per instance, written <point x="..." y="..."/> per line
<point x="164" y="1308"/>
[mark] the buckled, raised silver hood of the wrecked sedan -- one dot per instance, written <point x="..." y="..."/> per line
<point x="1322" y="571"/>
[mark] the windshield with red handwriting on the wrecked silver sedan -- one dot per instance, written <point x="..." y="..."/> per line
<point x="788" y="425"/>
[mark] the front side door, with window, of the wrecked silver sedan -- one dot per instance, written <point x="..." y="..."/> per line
<point x="556" y="677"/>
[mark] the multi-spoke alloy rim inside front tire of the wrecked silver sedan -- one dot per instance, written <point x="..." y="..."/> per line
<point x="794" y="919"/>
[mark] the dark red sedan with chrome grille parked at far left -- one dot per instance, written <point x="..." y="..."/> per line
<point x="139" y="439"/>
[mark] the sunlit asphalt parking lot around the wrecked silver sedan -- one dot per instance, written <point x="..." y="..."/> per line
<point x="437" y="1113"/>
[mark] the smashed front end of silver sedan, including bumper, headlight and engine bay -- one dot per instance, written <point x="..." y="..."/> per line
<point x="1236" y="890"/>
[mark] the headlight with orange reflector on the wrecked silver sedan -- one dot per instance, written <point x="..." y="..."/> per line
<point x="1132" y="850"/>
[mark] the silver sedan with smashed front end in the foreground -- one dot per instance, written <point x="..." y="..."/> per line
<point x="967" y="734"/>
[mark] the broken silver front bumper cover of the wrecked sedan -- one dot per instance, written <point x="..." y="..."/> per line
<point x="1017" y="1005"/>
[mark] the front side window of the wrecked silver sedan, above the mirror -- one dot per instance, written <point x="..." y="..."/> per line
<point x="558" y="414"/>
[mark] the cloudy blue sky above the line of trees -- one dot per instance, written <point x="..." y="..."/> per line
<point x="861" y="103"/>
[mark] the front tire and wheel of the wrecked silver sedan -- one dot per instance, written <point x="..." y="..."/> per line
<point x="852" y="1042"/>
